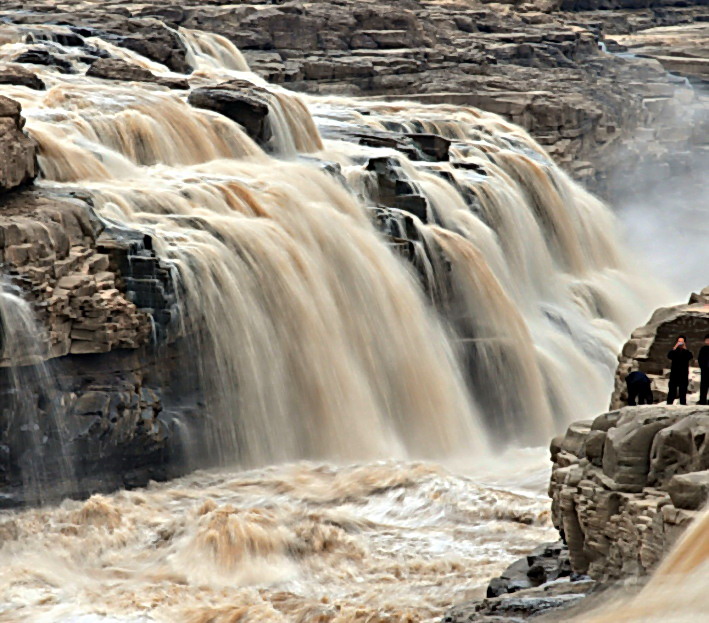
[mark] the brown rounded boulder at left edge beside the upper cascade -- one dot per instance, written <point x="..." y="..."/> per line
<point x="18" y="159"/>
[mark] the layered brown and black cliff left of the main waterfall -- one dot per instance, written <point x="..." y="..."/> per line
<point x="100" y="294"/>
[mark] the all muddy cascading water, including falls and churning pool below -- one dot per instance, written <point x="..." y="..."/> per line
<point x="315" y="340"/>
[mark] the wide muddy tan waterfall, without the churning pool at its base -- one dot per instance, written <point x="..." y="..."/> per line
<point x="315" y="338"/>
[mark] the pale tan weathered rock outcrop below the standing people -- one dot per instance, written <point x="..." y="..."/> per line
<point x="627" y="484"/>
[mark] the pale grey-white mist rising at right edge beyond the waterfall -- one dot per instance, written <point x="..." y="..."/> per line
<point x="663" y="205"/>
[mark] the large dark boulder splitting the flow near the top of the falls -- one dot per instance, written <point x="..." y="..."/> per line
<point x="240" y="101"/>
